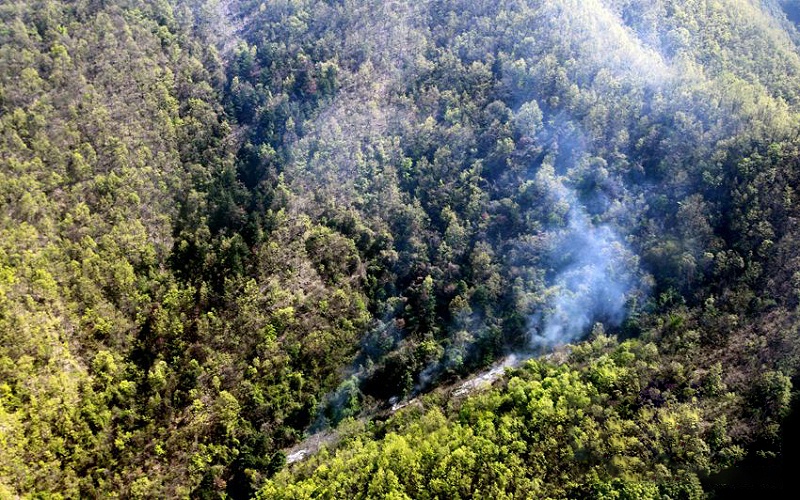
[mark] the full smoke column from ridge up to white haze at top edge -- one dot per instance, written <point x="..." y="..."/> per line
<point x="592" y="275"/>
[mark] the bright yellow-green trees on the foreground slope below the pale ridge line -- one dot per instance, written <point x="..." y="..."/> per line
<point x="575" y="430"/>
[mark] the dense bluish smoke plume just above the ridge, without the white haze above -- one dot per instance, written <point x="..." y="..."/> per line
<point x="592" y="276"/>
